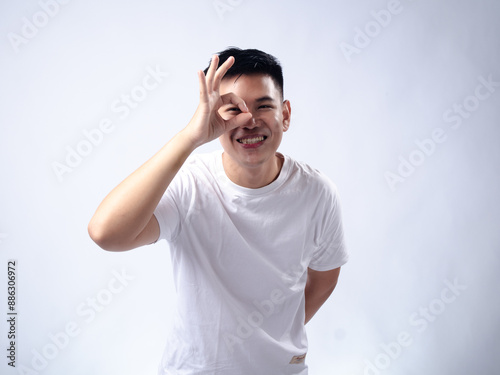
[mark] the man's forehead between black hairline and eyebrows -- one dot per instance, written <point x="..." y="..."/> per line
<point x="248" y="86"/>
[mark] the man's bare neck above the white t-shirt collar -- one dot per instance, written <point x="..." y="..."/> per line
<point x="253" y="177"/>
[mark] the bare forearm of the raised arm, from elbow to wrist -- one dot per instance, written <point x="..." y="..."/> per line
<point x="127" y="209"/>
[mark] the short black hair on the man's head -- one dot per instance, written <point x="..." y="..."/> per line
<point x="252" y="61"/>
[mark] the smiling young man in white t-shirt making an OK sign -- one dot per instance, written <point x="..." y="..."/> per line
<point x="256" y="238"/>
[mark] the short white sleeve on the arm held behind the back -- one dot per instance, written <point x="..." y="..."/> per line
<point x="330" y="252"/>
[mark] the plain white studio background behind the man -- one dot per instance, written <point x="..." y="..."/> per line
<point x="355" y="115"/>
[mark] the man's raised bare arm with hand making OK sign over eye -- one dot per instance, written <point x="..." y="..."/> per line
<point x="124" y="220"/>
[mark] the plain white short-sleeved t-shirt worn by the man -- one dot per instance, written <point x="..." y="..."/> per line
<point x="240" y="259"/>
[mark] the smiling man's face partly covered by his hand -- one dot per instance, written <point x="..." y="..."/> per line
<point x="254" y="144"/>
